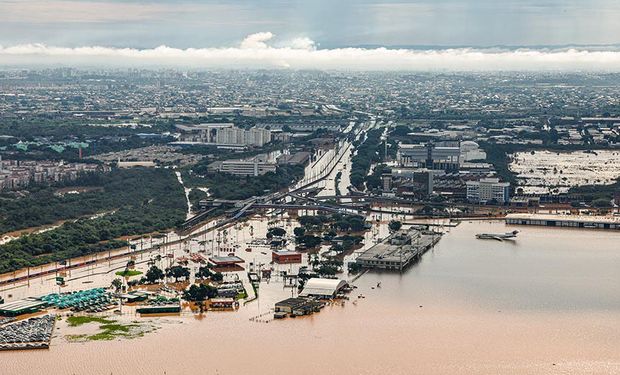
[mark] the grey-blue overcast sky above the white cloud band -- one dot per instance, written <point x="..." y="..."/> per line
<point x="331" y="23"/>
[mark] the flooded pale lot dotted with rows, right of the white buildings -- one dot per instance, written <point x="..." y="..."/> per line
<point x="556" y="172"/>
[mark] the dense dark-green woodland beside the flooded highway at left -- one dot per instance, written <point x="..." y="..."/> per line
<point x="145" y="200"/>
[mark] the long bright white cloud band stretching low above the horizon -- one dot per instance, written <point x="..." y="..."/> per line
<point x="302" y="53"/>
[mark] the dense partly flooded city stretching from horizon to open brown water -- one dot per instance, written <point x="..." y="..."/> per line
<point x="135" y="182"/>
